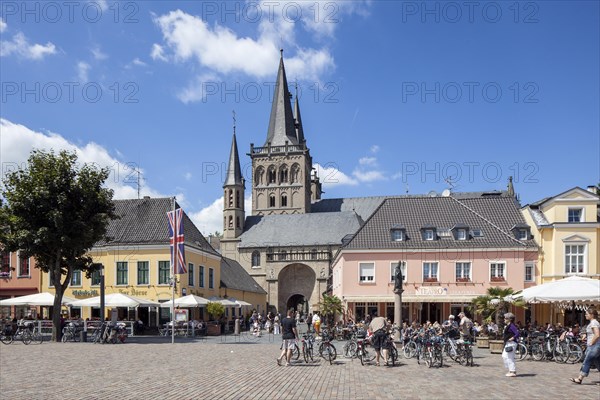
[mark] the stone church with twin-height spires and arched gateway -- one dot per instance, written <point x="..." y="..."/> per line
<point x="288" y="242"/>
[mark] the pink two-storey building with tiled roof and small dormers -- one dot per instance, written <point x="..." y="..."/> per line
<point x="451" y="249"/>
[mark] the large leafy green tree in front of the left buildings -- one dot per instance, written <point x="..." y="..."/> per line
<point x="56" y="211"/>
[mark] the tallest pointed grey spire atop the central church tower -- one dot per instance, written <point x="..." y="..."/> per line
<point x="281" y="124"/>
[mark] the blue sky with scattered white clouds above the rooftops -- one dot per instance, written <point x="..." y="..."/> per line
<point x="396" y="97"/>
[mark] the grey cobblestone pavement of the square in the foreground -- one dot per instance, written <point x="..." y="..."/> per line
<point x="243" y="368"/>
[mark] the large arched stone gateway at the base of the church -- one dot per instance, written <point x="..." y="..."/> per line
<point x="296" y="283"/>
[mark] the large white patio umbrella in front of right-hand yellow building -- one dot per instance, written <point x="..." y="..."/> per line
<point x="573" y="288"/>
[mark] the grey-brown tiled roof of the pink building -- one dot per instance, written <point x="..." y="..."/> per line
<point x="493" y="214"/>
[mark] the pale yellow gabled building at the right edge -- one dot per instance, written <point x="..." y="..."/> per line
<point x="567" y="229"/>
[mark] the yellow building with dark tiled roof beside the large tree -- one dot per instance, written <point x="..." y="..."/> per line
<point x="136" y="261"/>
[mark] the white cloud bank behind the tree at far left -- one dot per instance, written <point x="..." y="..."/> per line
<point x="18" y="141"/>
